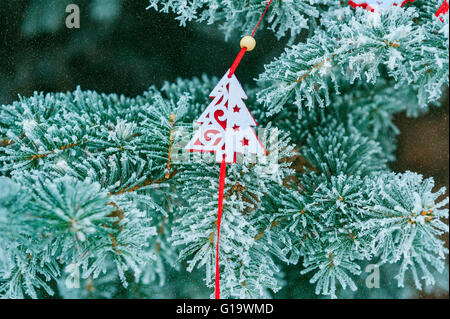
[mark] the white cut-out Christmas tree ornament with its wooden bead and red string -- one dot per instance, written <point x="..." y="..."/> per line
<point x="226" y="129"/>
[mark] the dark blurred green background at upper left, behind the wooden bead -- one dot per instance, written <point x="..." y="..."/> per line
<point x="120" y="47"/>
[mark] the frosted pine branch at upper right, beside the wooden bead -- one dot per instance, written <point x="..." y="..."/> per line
<point x="358" y="45"/>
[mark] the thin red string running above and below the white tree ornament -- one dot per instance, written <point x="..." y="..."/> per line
<point x="223" y="166"/>
